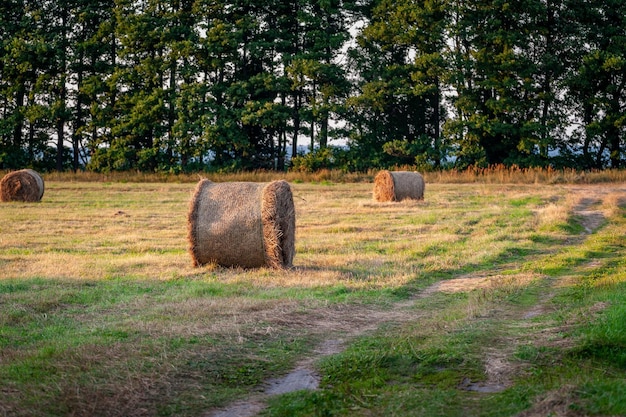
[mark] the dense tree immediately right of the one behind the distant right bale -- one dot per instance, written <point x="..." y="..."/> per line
<point x="494" y="81"/>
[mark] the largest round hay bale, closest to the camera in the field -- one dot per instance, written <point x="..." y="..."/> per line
<point x="242" y="224"/>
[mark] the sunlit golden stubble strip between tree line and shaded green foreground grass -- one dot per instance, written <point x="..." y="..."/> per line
<point x="92" y="230"/>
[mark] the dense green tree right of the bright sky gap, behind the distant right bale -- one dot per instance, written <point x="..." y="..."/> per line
<point x="399" y="60"/>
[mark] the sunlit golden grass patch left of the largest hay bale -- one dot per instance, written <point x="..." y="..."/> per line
<point x="95" y="231"/>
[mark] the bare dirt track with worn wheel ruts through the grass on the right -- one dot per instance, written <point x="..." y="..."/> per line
<point x="350" y="323"/>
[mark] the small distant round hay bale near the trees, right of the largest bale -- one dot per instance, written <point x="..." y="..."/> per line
<point x="398" y="186"/>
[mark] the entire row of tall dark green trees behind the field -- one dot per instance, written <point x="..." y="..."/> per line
<point x="184" y="85"/>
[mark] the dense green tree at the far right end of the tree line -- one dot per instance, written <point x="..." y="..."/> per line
<point x="597" y="84"/>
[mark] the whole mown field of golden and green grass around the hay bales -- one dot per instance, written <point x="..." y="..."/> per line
<point x="485" y="299"/>
